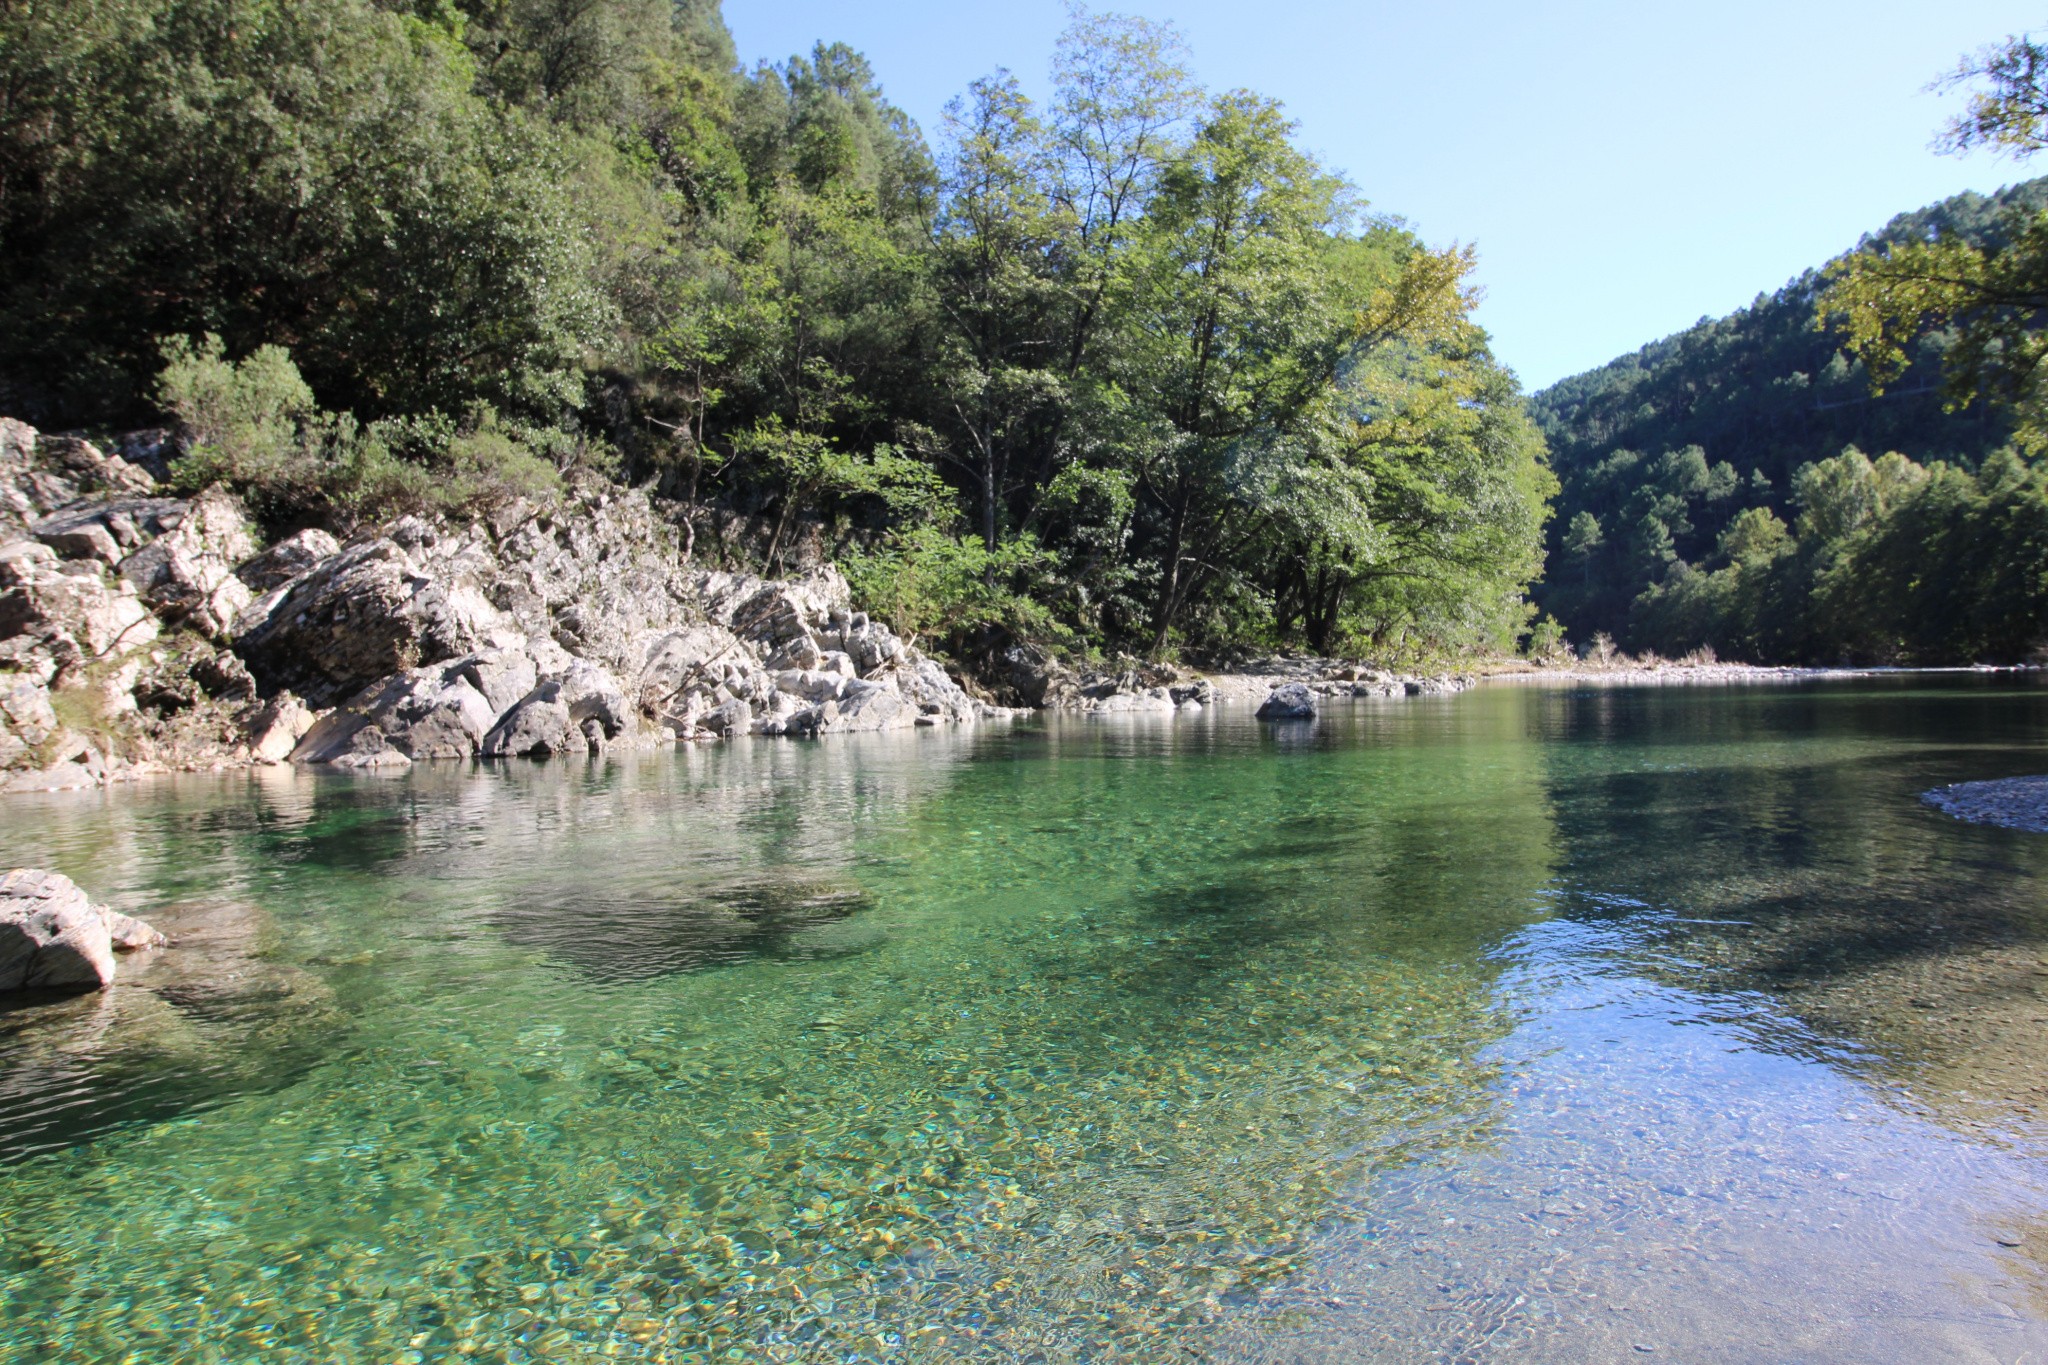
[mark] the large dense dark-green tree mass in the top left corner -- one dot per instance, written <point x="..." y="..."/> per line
<point x="308" y="175"/>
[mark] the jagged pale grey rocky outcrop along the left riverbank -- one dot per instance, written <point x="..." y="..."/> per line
<point x="142" y="631"/>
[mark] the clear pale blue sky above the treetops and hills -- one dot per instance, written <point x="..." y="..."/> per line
<point x="1623" y="169"/>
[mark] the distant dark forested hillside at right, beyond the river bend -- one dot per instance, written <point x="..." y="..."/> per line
<point x="1715" y="480"/>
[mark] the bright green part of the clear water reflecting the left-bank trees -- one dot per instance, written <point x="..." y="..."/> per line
<point x="1134" y="1028"/>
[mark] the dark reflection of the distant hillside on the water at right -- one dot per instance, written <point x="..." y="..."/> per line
<point x="1795" y="822"/>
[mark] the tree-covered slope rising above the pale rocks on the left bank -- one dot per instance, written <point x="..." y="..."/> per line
<point x="1121" y="371"/>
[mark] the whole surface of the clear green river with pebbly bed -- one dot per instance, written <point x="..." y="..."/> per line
<point x="1529" y="1024"/>
